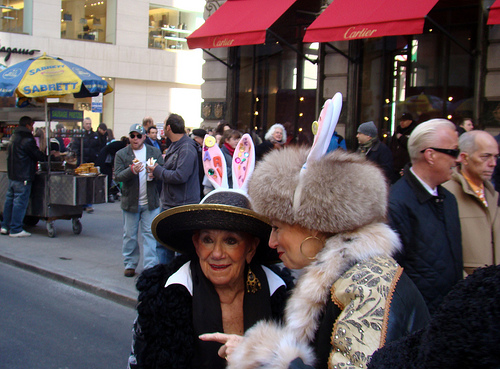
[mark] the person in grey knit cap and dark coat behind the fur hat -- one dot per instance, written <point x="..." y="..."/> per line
<point x="374" y="149"/>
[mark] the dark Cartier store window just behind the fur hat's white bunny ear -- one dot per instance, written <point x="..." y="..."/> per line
<point x="276" y="85"/>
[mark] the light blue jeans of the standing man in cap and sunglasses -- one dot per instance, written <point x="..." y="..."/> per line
<point x="131" y="250"/>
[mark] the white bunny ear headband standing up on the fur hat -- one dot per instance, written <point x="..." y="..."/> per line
<point x="323" y="130"/>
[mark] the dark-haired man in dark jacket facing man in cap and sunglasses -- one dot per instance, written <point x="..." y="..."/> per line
<point x="181" y="185"/>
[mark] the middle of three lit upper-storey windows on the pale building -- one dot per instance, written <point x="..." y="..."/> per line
<point x="88" y="20"/>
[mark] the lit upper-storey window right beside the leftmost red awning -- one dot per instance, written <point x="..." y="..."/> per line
<point x="168" y="27"/>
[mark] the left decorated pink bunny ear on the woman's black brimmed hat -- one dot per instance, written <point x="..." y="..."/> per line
<point x="214" y="163"/>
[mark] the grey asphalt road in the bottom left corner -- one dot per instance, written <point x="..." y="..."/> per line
<point x="47" y="324"/>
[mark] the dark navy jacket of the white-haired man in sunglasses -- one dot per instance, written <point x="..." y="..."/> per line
<point x="429" y="229"/>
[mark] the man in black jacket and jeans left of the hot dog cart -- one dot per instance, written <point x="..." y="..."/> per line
<point x="22" y="158"/>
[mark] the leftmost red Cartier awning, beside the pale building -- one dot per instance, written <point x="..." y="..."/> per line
<point x="238" y="22"/>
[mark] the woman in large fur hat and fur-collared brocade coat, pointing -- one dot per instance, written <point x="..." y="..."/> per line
<point x="352" y="297"/>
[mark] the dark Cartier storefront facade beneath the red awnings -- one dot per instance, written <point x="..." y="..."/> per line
<point x="448" y="69"/>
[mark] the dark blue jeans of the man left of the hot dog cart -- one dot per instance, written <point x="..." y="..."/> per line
<point x="16" y="203"/>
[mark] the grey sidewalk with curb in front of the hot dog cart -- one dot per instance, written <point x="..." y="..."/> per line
<point x="91" y="261"/>
